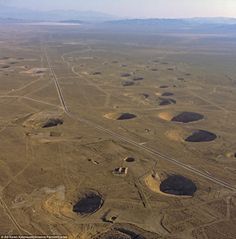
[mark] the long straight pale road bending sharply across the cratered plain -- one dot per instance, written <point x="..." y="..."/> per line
<point x="131" y="142"/>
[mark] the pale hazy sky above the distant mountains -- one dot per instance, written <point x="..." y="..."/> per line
<point x="138" y="8"/>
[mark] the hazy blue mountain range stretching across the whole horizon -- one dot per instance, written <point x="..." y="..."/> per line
<point x="13" y="14"/>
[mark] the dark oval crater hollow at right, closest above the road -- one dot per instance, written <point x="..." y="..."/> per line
<point x="201" y="136"/>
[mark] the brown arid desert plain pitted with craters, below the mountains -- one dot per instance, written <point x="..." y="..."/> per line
<point x="110" y="134"/>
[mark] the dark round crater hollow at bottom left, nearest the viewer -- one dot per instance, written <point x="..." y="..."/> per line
<point x="89" y="203"/>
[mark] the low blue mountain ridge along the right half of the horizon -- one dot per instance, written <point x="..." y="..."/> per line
<point x="204" y="25"/>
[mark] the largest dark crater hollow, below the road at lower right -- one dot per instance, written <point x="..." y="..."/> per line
<point x="178" y="185"/>
